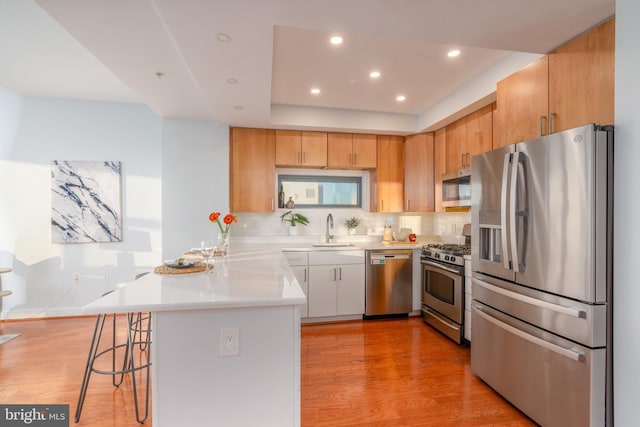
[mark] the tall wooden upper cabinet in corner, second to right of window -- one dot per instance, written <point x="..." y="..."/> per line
<point x="419" y="173"/>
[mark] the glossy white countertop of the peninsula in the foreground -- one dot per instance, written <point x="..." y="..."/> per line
<point x="247" y="278"/>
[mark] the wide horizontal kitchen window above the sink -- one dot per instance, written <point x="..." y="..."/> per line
<point x="308" y="191"/>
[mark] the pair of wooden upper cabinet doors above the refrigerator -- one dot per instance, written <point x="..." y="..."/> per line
<point x="570" y="87"/>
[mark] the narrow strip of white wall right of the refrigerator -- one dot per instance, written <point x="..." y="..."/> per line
<point x="626" y="205"/>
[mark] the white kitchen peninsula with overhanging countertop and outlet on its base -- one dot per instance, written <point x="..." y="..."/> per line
<point x="253" y="293"/>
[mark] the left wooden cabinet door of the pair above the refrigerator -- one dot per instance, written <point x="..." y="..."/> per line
<point x="522" y="104"/>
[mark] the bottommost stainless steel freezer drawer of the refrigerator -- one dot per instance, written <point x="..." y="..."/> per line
<point x="554" y="381"/>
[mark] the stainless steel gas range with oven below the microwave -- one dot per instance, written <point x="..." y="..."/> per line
<point x="443" y="288"/>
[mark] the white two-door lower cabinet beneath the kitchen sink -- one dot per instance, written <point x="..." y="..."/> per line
<point x="336" y="283"/>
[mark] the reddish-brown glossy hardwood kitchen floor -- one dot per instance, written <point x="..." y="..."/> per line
<point x="373" y="373"/>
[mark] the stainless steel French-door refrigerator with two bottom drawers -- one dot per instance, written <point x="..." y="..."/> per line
<point x="542" y="275"/>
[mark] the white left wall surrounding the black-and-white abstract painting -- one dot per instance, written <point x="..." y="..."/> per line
<point x="35" y="131"/>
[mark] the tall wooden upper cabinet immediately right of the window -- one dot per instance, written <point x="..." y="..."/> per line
<point x="387" y="180"/>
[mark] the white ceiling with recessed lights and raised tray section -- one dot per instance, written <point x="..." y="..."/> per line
<point x="167" y="54"/>
